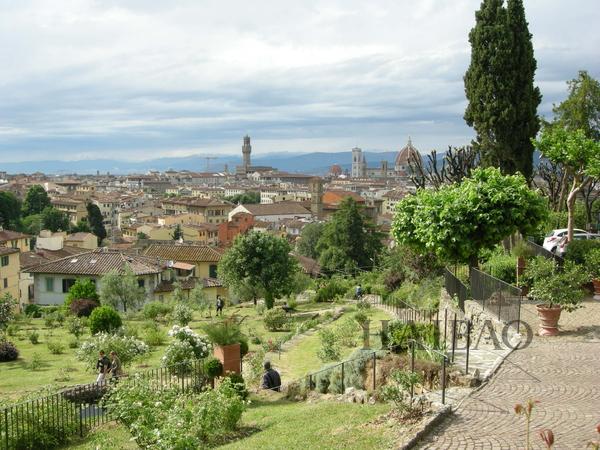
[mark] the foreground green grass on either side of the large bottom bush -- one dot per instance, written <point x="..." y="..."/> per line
<point x="278" y="423"/>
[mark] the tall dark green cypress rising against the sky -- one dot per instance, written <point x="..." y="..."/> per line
<point x="502" y="100"/>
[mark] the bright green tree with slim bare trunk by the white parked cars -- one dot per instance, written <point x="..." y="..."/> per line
<point x="579" y="156"/>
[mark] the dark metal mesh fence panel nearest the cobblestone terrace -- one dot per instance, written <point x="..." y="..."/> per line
<point x="497" y="297"/>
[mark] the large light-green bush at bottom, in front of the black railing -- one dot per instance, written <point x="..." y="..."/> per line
<point x="165" y="418"/>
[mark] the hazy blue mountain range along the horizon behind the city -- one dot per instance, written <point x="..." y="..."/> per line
<point x="309" y="163"/>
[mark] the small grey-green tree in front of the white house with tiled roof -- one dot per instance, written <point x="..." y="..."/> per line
<point x="121" y="289"/>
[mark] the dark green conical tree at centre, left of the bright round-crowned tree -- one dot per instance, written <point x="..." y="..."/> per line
<point x="349" y="242"/>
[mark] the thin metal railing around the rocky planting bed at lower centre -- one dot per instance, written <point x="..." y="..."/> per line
<point x="344" y="371"/>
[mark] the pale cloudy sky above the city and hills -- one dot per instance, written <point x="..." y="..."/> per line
<point x="136" y="79"/>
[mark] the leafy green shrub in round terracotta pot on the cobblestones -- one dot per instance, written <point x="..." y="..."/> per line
<point x="557" y="290"/>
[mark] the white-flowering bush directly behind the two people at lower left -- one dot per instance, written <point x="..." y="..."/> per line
<point x="127" y="348"/>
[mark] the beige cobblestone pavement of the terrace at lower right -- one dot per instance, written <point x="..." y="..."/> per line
<point x="562" y="373"/>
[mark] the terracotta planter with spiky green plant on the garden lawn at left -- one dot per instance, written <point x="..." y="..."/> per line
<point x="227" y="338"/>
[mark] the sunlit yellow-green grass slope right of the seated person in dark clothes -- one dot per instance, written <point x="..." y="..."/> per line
<point x="301" y="358"/>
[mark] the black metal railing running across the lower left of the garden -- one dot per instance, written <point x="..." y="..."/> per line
<point x="74" y="410"/>
